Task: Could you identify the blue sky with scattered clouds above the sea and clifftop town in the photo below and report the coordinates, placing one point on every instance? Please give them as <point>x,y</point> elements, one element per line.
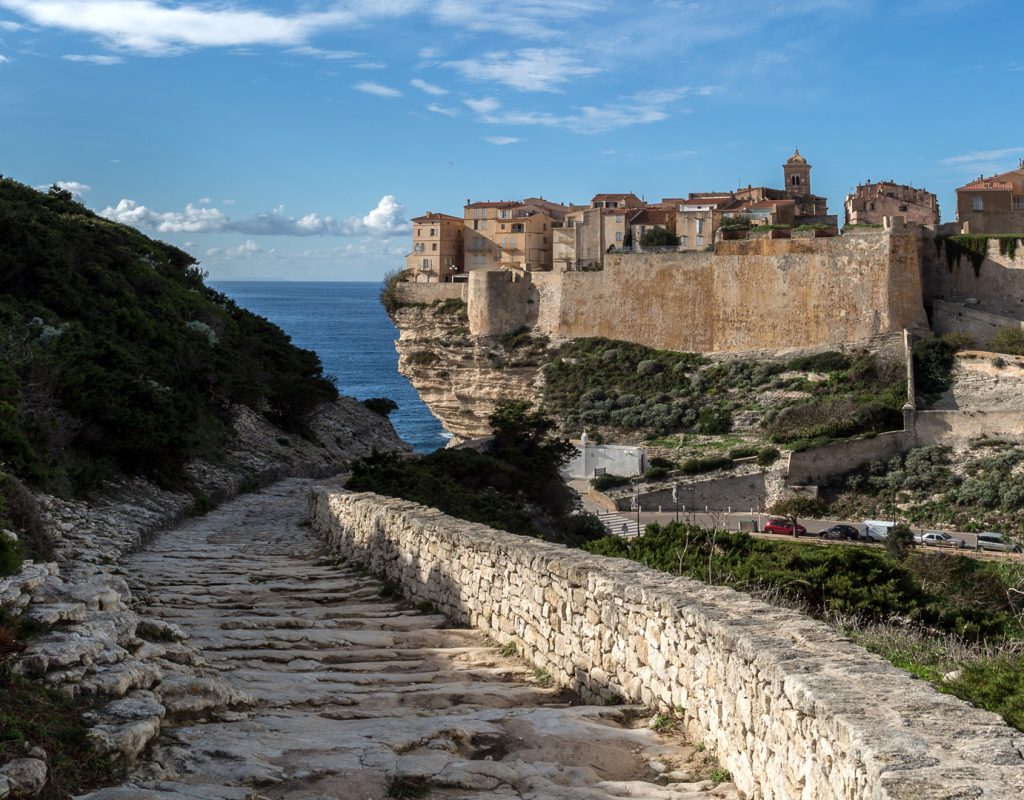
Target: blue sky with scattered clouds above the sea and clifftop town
<point>294,141</point>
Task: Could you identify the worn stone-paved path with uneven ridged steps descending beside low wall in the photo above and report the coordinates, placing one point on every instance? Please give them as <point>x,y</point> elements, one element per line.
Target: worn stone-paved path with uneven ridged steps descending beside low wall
<point>358,697</point>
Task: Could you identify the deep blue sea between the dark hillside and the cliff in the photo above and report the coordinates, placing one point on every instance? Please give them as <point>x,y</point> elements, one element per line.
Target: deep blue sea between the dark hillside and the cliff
<point>347,326</point>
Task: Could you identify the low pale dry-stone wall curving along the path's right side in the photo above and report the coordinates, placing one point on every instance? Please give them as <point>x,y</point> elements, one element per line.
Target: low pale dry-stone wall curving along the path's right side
<point>793,709</point>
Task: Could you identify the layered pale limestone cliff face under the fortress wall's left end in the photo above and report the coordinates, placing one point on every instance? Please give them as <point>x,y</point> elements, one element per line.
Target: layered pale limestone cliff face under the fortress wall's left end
<point>462,378</point>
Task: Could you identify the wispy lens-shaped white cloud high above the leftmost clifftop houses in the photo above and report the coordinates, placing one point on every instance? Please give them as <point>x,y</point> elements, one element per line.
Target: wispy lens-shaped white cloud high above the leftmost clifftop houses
<point>530,70</point>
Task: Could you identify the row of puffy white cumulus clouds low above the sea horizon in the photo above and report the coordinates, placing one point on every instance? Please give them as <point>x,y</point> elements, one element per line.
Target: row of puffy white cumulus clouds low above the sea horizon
<point>388,220</point>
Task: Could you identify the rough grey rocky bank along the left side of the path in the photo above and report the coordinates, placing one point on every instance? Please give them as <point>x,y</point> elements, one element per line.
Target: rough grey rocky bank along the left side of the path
<point>134,668</point>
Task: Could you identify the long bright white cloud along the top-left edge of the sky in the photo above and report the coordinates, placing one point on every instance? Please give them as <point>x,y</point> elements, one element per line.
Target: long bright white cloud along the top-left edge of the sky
<point>154,28</point>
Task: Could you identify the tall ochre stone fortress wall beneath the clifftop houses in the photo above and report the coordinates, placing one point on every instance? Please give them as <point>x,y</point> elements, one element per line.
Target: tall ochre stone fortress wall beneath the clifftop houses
<point>753,296</point>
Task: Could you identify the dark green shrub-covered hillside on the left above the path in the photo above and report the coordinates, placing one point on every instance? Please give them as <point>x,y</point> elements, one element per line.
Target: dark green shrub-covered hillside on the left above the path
<point>115,358</point>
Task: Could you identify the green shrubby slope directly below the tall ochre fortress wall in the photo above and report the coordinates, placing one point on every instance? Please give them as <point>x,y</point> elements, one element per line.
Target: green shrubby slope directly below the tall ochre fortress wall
<point>627,391</point>
